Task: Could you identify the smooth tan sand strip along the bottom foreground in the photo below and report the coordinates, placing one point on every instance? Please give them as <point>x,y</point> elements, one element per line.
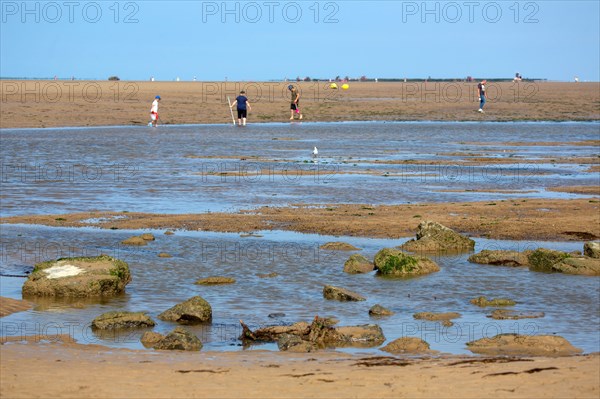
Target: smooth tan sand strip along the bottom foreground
<point>69,370</point>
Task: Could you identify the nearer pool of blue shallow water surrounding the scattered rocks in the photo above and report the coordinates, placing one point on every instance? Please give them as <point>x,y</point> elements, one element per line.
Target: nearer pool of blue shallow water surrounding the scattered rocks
<point>570,303</point>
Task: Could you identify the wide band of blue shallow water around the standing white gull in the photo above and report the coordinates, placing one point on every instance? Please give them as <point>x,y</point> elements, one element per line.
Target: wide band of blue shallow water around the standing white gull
<point>178,169</point>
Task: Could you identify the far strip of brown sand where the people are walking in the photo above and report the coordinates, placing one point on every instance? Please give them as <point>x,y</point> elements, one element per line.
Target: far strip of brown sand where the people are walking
<point>98,103</point>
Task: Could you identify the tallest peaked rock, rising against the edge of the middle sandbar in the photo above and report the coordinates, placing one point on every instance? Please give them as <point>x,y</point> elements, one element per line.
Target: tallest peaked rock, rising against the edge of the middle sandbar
<point>434,237</point>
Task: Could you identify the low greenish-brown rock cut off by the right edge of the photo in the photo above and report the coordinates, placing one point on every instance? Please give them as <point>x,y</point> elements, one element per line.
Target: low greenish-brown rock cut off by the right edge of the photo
<point>551,261</point>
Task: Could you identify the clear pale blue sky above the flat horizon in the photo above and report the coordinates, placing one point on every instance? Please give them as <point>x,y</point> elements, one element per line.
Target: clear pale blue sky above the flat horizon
<point>263,40</point>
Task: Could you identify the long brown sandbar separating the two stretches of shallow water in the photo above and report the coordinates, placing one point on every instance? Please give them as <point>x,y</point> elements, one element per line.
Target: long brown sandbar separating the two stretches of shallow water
<point>519,219</point>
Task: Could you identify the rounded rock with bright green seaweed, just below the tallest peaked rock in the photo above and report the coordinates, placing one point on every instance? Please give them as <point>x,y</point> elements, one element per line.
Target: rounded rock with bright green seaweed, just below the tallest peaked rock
<point>393,262</point>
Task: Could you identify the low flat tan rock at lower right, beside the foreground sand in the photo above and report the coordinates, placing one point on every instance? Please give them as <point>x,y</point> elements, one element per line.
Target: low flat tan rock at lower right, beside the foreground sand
<point>523,345</point>
